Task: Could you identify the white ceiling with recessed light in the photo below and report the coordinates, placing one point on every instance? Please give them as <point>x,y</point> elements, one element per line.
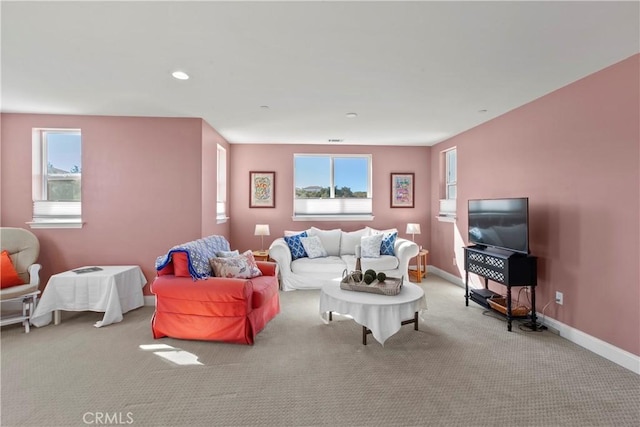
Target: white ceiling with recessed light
<point>416,73</point>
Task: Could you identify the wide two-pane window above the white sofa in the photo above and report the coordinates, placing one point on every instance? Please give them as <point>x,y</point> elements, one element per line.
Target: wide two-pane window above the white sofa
<point>330,186</point>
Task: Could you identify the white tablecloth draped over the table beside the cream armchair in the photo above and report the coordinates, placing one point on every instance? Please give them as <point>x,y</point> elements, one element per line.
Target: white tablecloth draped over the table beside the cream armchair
<point>114,290</point>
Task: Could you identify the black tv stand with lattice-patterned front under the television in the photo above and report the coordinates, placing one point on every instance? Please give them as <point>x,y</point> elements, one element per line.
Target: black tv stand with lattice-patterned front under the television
<point>504,267</point>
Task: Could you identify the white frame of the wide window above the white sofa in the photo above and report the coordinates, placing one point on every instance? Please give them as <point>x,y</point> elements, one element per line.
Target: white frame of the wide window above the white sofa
<point>334,209</point>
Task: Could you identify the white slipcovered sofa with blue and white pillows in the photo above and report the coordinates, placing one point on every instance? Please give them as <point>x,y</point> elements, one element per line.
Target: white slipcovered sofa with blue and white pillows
<point>313,273</point>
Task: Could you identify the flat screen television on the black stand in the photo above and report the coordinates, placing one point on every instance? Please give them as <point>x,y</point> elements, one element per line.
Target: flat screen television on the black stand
<point>500,223</point>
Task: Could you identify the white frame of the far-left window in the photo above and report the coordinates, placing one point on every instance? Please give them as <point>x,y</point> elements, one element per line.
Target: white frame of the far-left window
<point>51,213</point>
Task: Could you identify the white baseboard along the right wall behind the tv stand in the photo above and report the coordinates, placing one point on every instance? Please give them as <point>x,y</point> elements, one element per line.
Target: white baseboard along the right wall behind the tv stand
<point>610,352</point>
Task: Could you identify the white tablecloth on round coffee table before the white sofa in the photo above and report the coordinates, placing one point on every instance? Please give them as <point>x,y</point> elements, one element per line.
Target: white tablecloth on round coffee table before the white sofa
<point>382,314</point>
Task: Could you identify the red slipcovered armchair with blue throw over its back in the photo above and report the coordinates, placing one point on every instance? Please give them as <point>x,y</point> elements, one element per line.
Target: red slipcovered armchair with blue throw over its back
<point>216,308</point>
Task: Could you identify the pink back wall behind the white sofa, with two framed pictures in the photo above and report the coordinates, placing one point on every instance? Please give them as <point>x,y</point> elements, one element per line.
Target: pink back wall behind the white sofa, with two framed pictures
<point>279,158</point>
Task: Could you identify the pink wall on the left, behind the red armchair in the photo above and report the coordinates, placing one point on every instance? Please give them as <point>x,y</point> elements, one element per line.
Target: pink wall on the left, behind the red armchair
<point>142,188</point>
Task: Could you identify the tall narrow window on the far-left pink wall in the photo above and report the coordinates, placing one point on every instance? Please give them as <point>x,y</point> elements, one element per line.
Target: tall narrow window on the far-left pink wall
<point>57,178</point>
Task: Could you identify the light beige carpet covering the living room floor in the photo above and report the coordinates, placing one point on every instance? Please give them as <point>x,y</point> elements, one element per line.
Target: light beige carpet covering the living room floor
<point>461,369</point>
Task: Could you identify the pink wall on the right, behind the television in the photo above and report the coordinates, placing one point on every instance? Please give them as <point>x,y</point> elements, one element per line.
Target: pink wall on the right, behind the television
<point>575,154</point>
